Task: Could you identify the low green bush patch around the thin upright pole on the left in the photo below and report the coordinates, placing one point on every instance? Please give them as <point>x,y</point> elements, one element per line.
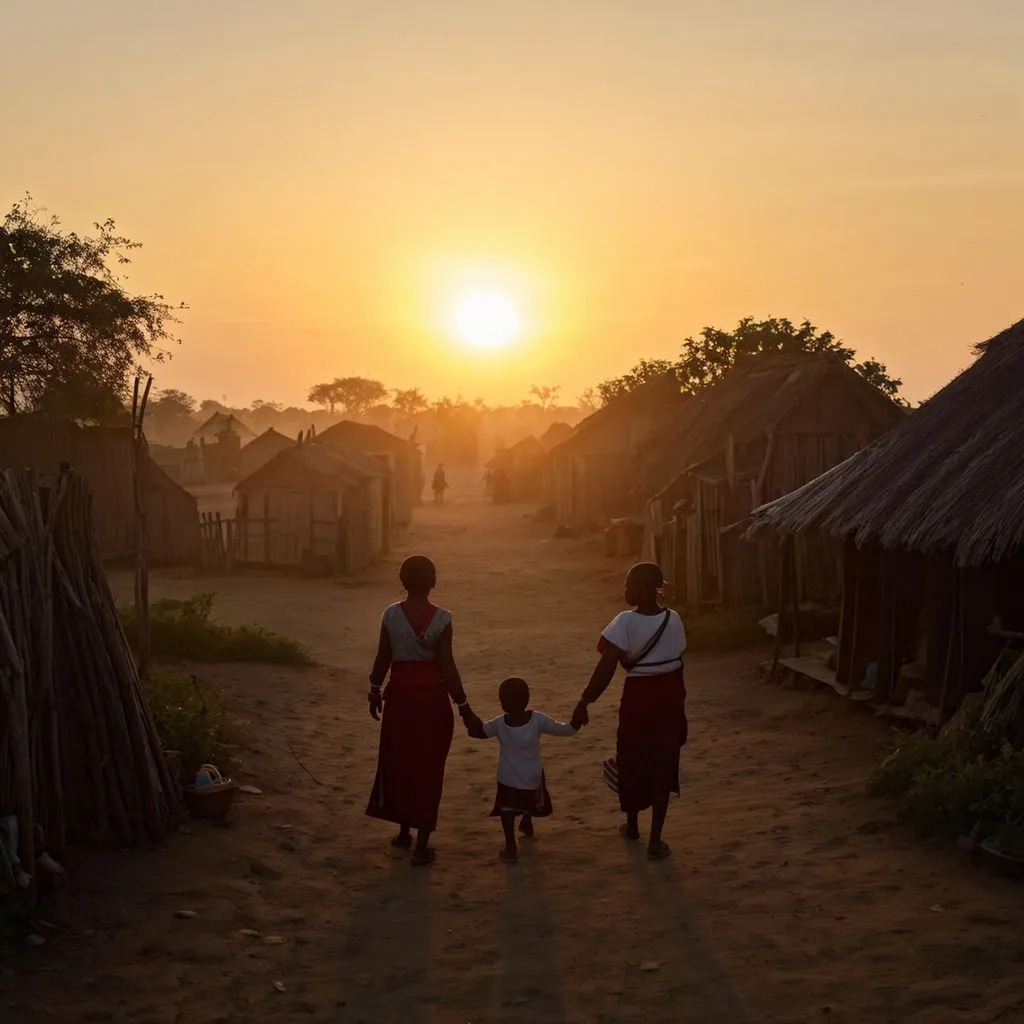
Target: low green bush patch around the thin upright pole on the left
<point>187,630</point>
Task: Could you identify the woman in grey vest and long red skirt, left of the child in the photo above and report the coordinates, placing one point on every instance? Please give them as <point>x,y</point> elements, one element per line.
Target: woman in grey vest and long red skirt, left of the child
<point>417,720</point>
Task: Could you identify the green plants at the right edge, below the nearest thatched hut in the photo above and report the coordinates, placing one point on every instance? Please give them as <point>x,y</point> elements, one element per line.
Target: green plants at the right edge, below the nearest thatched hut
<point>945,791</point>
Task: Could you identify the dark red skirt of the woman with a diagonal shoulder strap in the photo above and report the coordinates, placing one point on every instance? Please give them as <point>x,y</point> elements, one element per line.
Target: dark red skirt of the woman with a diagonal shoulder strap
<point>652,732</point>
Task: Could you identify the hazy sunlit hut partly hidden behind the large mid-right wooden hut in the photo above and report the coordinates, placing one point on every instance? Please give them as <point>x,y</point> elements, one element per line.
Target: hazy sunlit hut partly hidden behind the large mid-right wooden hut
<point>593,471</point>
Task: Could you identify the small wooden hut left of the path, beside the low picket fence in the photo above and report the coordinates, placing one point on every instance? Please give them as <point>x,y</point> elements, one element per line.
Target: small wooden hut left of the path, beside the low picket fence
<point>315,507</point>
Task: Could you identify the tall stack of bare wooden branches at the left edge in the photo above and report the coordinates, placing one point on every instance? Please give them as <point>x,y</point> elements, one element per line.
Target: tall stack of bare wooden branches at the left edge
<point>79,755</point>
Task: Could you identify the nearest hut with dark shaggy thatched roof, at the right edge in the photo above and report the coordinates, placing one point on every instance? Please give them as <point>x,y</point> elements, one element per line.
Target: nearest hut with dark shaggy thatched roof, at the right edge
<point>932,523</point>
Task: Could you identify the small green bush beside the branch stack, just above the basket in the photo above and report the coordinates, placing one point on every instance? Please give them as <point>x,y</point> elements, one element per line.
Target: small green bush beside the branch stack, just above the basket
<point>190,717</point>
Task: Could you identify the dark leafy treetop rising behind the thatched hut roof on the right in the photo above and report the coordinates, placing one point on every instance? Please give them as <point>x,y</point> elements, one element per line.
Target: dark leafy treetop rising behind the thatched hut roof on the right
<point>709,356</point>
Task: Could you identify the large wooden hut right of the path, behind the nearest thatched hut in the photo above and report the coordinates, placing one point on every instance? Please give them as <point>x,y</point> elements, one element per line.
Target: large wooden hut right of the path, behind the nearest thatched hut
<point>772,423</point>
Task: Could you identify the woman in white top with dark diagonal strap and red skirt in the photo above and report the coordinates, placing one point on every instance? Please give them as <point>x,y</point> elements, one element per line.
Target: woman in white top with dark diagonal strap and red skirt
<point>650,645</point>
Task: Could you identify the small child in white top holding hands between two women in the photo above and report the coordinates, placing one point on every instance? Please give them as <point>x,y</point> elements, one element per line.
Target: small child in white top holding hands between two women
<point>522,789</point>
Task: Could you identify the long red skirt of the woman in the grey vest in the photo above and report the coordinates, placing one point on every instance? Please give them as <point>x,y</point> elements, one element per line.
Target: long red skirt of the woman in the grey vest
<point>416,735</point>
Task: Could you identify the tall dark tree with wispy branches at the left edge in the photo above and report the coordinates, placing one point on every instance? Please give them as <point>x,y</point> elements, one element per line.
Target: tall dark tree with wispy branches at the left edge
<point>72,337</point>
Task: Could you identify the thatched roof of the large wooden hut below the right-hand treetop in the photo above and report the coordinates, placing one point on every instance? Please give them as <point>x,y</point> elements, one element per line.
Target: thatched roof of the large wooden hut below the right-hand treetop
<point>757,397</point>
